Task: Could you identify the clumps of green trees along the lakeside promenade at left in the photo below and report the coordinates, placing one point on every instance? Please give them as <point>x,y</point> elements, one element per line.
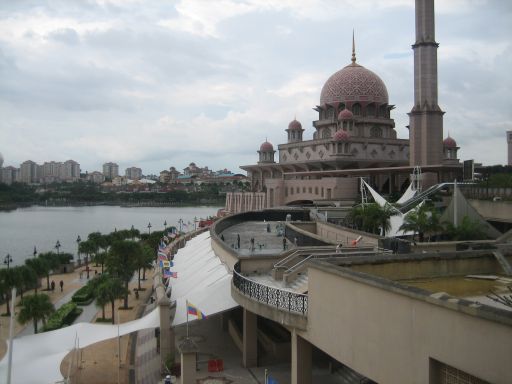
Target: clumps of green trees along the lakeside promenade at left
<point>119,254</point>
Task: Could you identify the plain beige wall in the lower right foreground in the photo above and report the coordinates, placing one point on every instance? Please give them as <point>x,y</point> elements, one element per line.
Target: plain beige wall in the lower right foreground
<point>390,337</point>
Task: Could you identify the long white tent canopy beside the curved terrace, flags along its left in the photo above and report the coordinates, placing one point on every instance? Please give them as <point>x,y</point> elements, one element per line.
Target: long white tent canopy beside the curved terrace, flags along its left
<point>203,280</point>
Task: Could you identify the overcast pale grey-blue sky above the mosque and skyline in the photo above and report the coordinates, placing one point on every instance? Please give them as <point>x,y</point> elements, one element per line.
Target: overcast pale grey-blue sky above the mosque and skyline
<point>156,84</point>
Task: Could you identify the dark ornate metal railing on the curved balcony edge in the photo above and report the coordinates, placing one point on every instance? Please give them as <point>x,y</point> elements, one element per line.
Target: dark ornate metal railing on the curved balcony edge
<point>275,297</point>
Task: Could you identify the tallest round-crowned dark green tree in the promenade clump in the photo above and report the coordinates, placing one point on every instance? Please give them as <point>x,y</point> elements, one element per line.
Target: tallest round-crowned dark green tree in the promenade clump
<point>122,262</point>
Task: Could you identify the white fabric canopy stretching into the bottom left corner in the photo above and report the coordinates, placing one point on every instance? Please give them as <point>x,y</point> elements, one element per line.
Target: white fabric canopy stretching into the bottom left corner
<point>37,358</point>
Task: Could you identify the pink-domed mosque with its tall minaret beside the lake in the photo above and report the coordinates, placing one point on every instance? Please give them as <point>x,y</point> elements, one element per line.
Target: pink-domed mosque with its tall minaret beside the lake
<point>355,137</point>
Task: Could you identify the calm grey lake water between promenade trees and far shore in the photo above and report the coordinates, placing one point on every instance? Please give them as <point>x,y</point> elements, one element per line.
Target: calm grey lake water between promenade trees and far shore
<point>24,228</point>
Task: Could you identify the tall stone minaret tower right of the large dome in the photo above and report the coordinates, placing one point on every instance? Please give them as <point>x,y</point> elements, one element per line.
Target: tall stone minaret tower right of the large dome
<point>425,118</point>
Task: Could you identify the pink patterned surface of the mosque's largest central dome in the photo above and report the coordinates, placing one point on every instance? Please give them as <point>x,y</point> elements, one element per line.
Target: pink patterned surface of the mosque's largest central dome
<point>354,83</point>
